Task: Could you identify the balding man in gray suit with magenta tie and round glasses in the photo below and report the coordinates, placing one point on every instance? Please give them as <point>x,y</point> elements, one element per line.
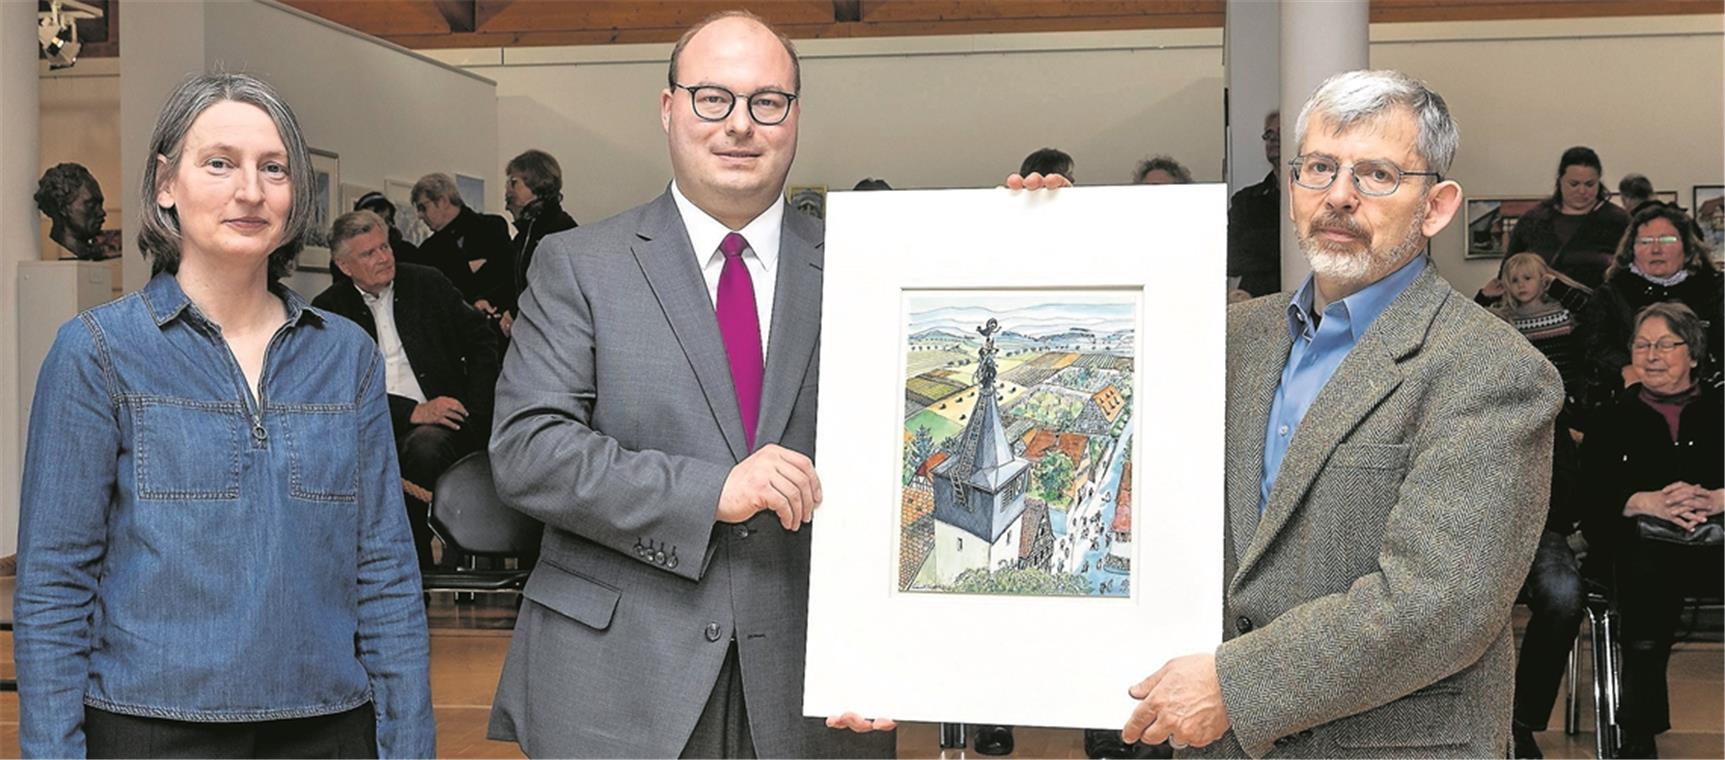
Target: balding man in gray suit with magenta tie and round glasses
<point>658,414</point>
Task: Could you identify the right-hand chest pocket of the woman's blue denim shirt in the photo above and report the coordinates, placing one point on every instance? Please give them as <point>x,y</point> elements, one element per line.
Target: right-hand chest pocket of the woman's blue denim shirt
<point>323,451</point>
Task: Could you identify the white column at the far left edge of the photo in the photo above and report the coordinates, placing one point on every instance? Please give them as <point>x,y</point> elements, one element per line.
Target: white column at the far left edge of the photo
<point>20,123</point>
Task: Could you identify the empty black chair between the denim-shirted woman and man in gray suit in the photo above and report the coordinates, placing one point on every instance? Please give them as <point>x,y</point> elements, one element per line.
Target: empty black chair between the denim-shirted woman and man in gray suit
<point>472,520</point>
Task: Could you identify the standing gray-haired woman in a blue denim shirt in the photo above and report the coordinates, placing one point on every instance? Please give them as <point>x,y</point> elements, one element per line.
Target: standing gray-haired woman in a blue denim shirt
<point>213,549</point>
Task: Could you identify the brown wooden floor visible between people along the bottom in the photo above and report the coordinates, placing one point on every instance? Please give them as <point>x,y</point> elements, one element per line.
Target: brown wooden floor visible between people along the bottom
<point>468,645</point>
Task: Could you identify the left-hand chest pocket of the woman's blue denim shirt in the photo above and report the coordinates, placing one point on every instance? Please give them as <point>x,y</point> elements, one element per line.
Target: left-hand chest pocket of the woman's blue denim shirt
<point>168,468</point>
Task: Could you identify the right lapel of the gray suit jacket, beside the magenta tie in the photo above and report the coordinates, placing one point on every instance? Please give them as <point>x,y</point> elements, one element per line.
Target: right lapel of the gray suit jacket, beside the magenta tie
<point>796,323</point>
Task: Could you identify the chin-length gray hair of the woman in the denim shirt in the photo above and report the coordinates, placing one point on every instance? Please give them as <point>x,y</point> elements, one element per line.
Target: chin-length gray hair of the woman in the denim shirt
<point>160,230</point>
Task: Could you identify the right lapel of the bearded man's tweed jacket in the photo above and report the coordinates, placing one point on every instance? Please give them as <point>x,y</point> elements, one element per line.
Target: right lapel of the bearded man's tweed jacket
<point>1360,383</point>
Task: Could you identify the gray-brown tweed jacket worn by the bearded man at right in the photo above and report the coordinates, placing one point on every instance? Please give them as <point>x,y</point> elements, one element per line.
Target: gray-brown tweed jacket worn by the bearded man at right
<point>1367,611</point>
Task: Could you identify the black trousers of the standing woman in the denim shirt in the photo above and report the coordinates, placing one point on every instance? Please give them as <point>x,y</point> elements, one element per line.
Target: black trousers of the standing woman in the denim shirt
<point>344,735</point>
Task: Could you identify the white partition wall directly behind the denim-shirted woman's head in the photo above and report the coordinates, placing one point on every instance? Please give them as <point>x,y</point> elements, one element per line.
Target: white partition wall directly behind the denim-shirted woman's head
<point>387,111</point>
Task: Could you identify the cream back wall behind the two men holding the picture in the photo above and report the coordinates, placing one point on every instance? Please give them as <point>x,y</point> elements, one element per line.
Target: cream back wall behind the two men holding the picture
<point>962,111</point>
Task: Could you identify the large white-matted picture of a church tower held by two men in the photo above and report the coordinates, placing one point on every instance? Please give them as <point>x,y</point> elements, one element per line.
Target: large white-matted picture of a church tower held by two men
<point>1019,475</point>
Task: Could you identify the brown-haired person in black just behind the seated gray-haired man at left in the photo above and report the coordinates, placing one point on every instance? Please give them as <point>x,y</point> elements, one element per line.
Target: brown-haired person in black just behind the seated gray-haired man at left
<point>472,249</point>
